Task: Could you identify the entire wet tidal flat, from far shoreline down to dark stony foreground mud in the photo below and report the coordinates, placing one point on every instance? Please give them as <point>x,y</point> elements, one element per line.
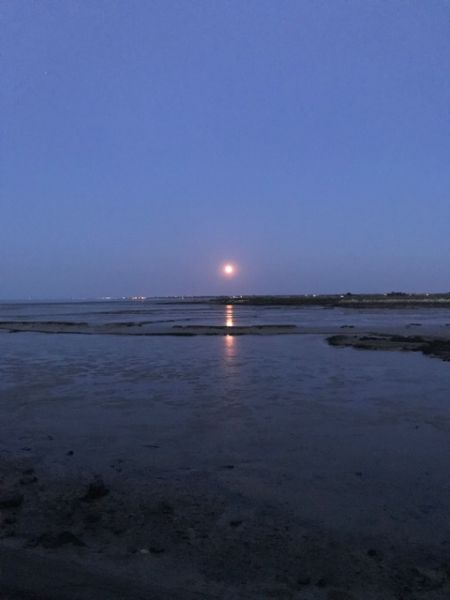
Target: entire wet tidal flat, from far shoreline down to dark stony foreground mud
<point>226,463</point>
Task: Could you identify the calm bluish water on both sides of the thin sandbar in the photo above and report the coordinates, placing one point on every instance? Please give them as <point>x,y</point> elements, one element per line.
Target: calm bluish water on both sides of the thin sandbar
<point>296,417</point>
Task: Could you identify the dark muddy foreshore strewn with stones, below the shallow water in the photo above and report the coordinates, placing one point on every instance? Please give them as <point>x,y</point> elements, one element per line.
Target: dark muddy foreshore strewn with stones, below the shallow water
<point>191,536</point>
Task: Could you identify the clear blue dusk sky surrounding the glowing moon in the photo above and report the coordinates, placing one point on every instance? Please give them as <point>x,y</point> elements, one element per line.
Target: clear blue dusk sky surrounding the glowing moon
<point>144,144</point>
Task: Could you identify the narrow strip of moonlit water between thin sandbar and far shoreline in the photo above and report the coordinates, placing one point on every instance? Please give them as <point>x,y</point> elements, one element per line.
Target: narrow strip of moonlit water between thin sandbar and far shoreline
<point>166,311</point>
